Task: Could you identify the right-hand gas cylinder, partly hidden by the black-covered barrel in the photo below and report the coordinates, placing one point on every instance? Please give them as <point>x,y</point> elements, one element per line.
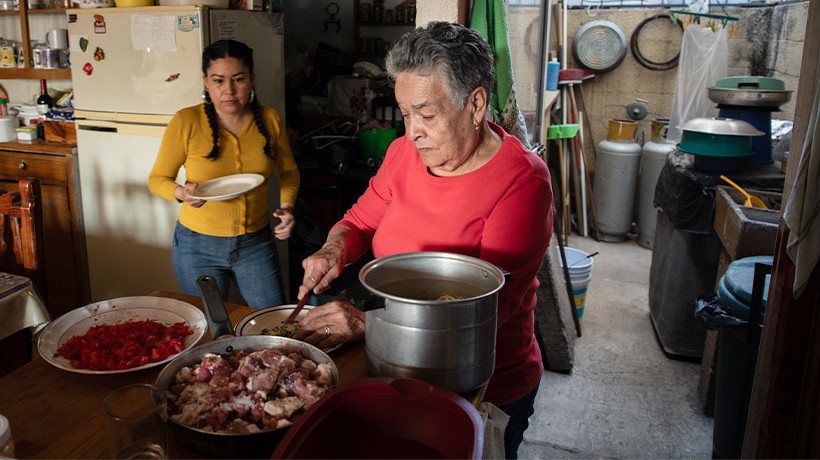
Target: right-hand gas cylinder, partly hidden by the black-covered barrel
<point>653,157</point>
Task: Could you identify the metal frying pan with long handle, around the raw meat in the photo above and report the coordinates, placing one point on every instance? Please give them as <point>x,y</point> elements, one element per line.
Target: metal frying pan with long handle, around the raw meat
<point>239,445</point>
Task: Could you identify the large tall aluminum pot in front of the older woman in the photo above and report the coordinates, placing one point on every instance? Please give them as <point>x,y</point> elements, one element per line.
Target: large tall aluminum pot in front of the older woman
<point>411,333</point>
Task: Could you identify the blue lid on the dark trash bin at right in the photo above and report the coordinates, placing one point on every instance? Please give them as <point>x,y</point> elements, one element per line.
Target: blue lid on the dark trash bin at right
<point>735,286</point>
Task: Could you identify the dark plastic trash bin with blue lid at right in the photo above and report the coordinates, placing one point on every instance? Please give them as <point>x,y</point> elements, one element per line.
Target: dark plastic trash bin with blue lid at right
<point>736,311</point>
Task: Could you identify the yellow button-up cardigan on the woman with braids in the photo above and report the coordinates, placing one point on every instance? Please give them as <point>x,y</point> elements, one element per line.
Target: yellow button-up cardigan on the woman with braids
<point>186,143</point>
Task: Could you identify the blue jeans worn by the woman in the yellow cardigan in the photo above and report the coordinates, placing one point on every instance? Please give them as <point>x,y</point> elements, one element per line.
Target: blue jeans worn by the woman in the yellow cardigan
<point>251,260</point>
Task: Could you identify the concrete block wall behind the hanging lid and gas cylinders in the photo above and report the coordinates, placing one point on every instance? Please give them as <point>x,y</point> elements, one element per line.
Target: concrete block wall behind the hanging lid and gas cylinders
<point>770,44</point>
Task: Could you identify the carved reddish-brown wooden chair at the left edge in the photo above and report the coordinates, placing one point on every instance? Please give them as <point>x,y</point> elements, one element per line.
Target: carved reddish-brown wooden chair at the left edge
<point>21,253</point>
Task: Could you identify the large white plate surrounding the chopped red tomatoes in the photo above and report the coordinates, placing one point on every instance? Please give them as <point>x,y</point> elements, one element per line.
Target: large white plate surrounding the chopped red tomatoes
<point>78,321</point>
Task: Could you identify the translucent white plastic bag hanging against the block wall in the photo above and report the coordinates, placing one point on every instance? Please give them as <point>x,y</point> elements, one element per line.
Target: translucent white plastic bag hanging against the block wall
<point>703,61</point>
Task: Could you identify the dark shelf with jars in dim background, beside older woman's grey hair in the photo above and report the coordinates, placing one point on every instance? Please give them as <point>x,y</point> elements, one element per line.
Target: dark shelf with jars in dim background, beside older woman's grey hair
<point>378,23</point>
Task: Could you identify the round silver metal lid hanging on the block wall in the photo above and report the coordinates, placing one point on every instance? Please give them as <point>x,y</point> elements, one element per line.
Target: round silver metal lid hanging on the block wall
<point>599,45</point>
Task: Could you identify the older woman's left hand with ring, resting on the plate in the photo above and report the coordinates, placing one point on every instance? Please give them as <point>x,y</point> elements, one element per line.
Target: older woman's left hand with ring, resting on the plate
<point>331,324</point>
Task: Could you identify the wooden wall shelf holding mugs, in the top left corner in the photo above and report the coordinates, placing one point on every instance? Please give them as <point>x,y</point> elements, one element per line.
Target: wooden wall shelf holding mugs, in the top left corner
<point>25,19</point>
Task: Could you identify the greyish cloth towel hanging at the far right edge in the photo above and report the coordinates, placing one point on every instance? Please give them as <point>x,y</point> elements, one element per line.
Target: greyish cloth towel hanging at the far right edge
<point>802,213</point>
